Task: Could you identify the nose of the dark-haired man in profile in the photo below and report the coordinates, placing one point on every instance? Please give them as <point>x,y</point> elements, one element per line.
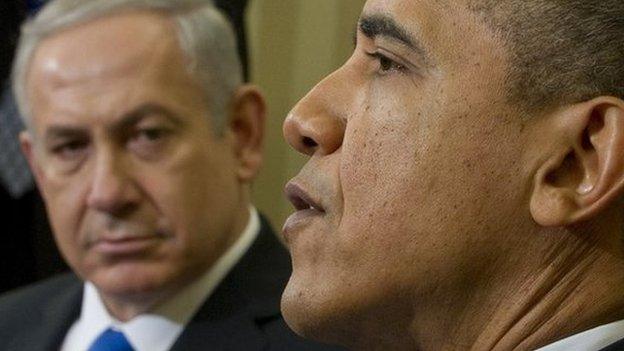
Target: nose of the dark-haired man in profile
<point>316,125</point>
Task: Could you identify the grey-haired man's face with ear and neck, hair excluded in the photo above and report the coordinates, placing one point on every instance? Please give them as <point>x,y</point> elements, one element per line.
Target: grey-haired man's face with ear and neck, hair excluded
<point>142,195</point>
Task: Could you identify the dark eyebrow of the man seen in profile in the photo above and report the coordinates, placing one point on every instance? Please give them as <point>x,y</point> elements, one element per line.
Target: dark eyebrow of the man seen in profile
<point>381,25</point>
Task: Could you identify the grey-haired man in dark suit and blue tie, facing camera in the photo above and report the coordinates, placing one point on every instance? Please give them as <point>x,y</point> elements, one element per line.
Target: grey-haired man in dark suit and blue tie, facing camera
<point>144,142</point>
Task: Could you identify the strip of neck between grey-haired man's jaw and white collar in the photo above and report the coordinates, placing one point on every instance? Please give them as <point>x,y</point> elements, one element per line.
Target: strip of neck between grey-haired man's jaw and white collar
<point>125,307</point>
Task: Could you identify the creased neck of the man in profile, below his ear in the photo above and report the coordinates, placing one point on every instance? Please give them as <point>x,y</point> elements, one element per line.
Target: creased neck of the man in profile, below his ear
<point>566,285</point>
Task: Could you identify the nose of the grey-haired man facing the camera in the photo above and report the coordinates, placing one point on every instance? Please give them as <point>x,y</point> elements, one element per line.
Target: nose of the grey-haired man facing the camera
<point>112,188</point>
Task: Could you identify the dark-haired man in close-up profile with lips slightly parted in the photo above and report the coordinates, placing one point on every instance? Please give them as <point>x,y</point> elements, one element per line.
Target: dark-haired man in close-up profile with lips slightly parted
<point>465,181</point>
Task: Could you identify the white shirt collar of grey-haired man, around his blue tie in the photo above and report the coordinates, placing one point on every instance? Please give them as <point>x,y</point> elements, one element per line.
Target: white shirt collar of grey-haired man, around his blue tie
<point>159,329</point>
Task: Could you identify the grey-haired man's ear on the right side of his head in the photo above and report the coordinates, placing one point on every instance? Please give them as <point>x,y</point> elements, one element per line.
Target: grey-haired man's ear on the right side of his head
<point>246,125</point>
